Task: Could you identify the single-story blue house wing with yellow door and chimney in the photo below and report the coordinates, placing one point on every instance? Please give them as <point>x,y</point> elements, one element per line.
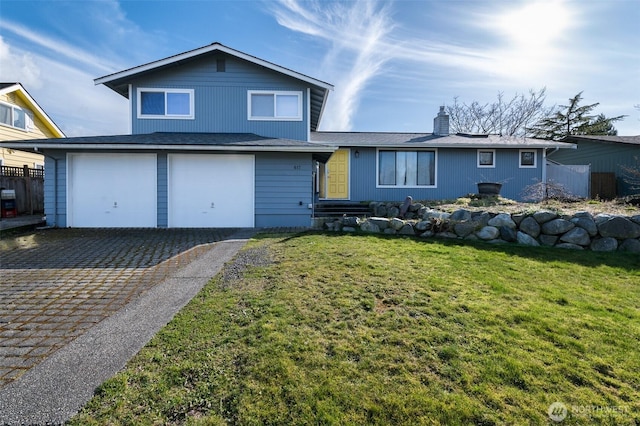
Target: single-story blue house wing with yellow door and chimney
<point>428,166</point>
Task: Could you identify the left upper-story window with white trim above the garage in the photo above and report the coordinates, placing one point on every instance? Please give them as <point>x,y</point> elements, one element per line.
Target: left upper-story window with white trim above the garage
<point>165,103</point>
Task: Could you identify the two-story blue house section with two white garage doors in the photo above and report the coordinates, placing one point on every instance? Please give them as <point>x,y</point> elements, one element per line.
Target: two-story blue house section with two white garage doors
<point>218,138</point>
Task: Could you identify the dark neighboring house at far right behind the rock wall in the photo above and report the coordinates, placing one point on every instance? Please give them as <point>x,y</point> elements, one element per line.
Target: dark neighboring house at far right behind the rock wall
<point>607,157</point>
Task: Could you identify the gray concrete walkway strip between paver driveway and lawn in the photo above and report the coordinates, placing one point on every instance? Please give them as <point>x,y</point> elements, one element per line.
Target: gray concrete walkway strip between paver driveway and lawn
<point>53,390</point>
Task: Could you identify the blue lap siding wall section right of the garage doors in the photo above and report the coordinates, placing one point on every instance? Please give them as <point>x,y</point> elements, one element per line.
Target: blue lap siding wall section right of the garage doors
<point>283,182</point>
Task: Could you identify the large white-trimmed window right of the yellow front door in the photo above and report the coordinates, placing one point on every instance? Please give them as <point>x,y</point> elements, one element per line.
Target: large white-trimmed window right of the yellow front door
<point>406,168</point>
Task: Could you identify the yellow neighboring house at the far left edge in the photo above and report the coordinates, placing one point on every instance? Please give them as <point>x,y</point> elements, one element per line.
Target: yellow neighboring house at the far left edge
<point>22,118</point>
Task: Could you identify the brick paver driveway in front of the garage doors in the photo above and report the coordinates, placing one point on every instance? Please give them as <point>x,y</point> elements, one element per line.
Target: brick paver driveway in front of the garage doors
<point>56,284</point>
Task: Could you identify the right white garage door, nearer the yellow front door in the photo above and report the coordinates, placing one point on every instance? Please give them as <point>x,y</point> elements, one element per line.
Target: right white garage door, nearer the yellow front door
<point>211,191</point>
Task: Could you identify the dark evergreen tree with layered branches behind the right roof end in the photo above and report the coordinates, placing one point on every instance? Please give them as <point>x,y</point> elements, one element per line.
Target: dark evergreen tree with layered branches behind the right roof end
<point>574,119</point>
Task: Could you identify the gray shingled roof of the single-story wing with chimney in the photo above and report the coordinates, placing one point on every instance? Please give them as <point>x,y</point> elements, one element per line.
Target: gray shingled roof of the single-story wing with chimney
<point>429,140</point>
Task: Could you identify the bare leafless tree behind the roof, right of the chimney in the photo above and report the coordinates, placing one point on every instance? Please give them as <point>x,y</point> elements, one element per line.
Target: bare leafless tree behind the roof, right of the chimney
<point>504,117</point>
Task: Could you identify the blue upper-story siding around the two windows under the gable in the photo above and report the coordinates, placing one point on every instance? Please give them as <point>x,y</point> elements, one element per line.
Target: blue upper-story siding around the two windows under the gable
<point>220,99</point>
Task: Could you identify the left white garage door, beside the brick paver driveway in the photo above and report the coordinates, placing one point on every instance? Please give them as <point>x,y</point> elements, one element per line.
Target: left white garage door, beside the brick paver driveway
<point>112,190</point>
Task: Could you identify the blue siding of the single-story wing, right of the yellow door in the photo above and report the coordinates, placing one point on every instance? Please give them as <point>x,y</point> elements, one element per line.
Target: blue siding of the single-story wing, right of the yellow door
<point>456,175</point>
